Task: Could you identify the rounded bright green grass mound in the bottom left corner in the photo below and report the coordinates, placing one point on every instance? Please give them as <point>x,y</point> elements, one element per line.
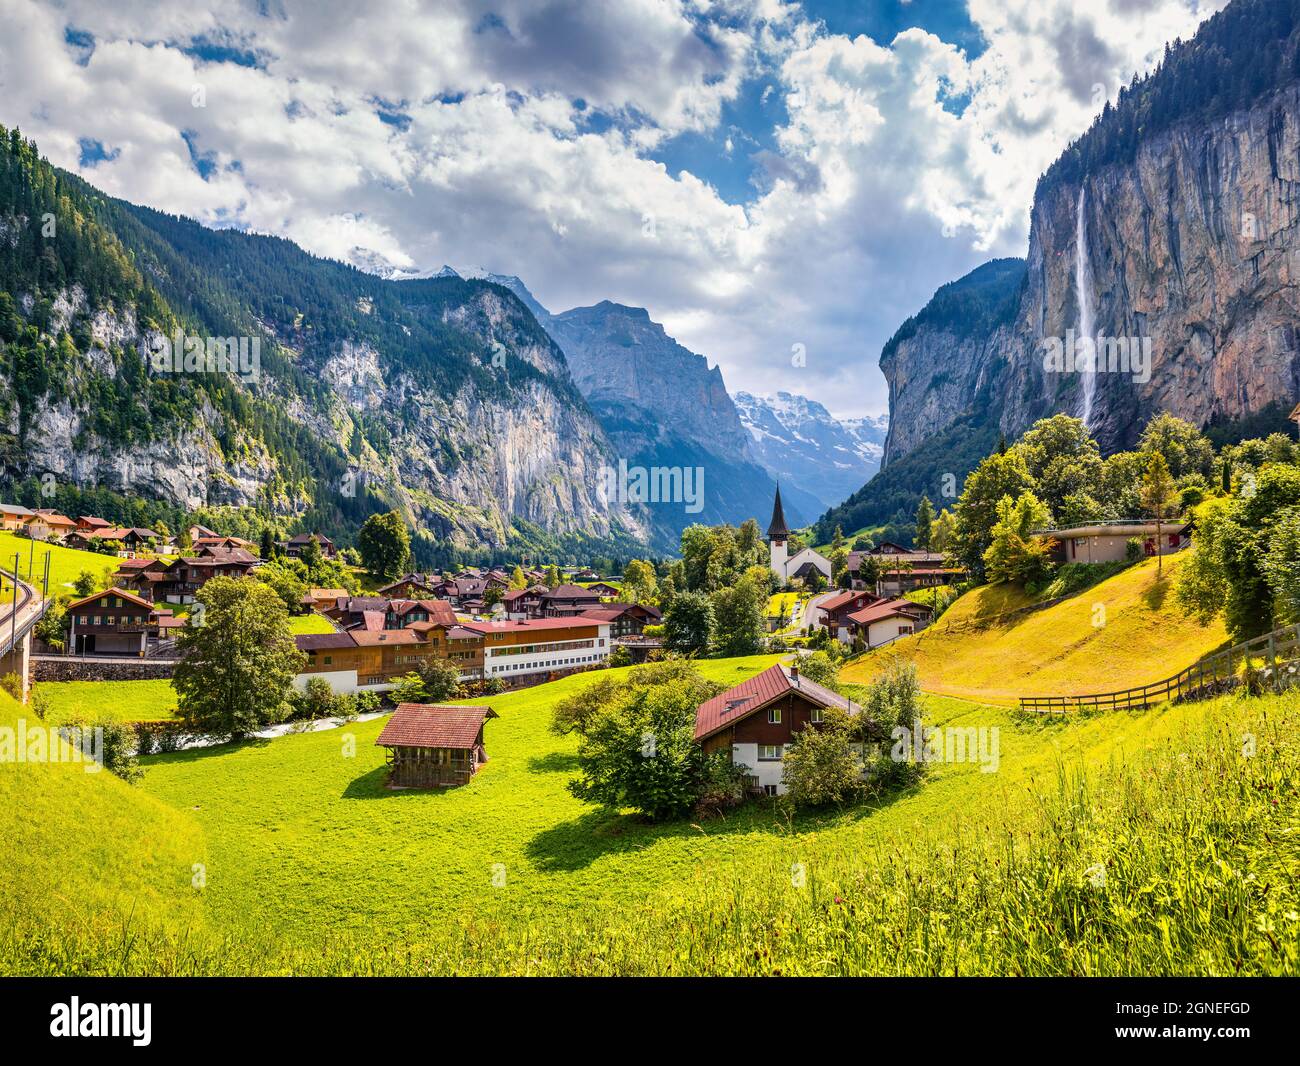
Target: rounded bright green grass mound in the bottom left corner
<point>86,857</point>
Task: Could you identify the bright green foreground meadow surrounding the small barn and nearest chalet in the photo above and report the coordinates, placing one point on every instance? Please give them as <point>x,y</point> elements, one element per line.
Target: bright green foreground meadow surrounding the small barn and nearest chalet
<point>1123,843</point>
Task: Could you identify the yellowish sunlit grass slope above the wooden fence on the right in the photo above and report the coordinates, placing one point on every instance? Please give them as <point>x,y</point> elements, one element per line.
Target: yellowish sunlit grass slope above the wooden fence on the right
<point>972,652</point>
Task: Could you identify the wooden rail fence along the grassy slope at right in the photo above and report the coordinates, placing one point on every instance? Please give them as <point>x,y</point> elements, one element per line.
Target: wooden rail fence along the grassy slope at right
<point>1212,675</point>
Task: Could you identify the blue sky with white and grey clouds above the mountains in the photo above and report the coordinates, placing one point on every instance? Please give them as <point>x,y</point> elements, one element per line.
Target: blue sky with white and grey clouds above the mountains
<point>766,177</point>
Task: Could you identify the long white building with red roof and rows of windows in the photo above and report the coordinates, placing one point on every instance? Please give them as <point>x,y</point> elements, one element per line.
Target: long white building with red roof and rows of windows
<point>541,649</point>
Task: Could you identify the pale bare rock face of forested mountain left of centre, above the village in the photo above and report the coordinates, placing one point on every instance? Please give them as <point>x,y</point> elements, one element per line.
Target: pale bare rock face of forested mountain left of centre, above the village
<point>463,466</point>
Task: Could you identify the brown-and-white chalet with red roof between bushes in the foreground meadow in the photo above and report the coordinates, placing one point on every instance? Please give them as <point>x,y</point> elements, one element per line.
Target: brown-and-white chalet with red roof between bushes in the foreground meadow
<point>760,718</point>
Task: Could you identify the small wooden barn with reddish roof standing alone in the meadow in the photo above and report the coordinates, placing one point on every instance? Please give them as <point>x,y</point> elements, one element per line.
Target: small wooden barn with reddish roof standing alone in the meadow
<point>435,747</point>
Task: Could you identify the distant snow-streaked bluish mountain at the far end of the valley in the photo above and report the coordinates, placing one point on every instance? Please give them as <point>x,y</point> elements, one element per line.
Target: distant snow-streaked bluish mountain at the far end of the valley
<point>800,444</point>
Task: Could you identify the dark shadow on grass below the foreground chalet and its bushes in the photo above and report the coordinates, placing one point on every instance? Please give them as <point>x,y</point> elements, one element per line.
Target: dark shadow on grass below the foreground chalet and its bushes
<point>577,844</point>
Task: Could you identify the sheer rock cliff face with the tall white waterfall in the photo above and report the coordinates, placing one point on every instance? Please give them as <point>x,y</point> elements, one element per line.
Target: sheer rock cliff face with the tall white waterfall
<point>1184,262</point>
